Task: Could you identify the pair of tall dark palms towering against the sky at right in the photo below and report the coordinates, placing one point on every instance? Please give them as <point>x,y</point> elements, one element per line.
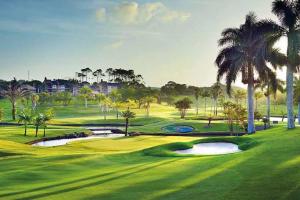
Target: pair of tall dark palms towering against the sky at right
<point>249,50</point>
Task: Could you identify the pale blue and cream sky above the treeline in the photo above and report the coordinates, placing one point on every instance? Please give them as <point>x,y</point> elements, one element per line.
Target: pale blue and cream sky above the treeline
<point>162,40</point>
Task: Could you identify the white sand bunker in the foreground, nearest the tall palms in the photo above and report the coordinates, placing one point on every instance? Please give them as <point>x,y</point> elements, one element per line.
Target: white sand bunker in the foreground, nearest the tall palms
<point>212,148</point>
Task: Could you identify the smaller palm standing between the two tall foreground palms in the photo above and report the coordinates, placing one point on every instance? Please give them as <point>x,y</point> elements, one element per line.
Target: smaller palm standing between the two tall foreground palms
<point>270,86</point>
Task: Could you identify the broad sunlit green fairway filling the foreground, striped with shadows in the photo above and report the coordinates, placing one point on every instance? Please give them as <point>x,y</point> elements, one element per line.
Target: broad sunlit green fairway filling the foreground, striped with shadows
<point>119,169</point>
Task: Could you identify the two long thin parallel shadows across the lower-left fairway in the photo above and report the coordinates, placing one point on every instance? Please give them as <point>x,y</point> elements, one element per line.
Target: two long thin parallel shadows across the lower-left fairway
<point>84,179</point>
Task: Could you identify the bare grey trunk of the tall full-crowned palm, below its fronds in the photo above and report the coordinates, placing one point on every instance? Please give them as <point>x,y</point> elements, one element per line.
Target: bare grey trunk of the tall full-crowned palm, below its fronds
<point>251,126</point>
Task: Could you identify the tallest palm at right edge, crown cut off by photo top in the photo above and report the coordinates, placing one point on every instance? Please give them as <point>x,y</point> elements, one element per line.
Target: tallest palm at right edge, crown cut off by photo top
<point>288,13</point>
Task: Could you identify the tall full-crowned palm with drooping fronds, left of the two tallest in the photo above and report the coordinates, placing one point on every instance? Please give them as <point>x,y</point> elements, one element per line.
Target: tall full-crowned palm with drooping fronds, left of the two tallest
<point>242,52</point>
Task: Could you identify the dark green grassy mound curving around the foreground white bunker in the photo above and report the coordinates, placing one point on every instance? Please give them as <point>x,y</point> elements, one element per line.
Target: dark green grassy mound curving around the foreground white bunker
<point>167,150</point>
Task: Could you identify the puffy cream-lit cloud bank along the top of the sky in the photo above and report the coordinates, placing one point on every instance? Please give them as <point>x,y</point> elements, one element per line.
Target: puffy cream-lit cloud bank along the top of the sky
<point>131,13</point>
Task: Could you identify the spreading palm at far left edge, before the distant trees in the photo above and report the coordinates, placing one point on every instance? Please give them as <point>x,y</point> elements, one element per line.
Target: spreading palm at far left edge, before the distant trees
<point>13,92</point>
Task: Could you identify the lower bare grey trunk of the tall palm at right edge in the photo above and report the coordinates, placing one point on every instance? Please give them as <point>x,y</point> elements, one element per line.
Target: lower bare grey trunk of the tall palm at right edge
<point>289,97</point>
